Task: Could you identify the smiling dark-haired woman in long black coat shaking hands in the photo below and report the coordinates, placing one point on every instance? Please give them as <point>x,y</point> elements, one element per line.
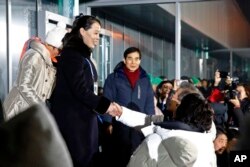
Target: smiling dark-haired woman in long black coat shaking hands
<point>74,103</point>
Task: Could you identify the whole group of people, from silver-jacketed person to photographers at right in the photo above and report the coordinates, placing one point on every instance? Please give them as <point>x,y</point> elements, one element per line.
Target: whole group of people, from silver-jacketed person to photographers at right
<point>186,122</point>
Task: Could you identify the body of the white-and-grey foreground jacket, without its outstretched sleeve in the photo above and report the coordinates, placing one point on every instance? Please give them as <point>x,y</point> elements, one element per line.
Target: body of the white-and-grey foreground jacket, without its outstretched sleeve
<point>185,148</point>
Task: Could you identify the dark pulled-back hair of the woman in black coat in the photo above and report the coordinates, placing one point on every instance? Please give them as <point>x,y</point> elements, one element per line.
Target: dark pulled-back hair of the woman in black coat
<point>81,21</point>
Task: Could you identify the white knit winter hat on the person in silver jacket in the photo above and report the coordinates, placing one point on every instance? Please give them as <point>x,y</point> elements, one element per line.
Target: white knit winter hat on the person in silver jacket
<point>54,37</point>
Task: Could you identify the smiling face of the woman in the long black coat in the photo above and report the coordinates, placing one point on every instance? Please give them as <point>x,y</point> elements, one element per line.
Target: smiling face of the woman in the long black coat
<point>91,36</point>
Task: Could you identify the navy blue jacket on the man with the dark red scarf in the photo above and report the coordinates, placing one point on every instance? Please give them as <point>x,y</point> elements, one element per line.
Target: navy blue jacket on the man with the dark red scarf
<point>118,89</point>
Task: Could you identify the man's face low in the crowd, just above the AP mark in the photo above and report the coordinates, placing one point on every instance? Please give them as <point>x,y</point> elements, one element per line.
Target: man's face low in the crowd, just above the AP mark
<point>220,143</point>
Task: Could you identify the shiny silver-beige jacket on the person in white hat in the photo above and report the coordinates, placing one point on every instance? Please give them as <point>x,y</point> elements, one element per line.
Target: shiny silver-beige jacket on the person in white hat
<point>34,82</point>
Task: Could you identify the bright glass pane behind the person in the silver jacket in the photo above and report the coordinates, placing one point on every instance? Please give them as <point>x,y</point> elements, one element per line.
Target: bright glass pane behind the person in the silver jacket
<point>22,27</point>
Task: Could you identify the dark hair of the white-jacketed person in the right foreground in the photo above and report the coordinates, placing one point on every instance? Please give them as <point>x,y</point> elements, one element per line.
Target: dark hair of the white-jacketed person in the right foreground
<point>195,111</point>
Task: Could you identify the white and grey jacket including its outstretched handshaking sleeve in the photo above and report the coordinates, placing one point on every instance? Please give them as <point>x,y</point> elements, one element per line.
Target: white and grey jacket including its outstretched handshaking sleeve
<point>186,148</point>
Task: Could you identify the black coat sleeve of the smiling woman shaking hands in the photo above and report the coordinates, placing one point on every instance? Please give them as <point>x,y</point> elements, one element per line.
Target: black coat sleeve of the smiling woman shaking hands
<point>78,76</point>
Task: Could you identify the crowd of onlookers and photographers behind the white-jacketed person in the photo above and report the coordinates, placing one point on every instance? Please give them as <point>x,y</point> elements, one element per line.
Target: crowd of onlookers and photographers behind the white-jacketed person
<point>229,100</point>
